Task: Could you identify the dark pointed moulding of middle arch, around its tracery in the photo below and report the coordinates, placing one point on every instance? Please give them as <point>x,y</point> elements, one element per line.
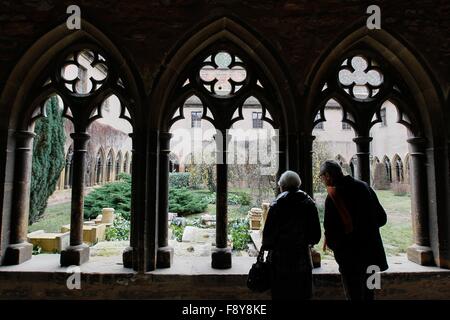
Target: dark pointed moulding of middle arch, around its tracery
<point>251,46</point>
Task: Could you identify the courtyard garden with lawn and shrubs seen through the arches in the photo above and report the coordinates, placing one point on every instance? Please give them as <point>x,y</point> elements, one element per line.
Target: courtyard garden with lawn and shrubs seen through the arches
<point>193,209</point>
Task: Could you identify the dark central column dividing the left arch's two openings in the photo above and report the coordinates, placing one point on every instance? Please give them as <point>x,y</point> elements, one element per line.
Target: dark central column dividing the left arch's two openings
<point>77,253</point>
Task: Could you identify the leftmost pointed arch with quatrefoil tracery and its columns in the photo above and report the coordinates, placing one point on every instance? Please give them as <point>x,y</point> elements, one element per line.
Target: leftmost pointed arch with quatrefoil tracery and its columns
<point>56,64</point>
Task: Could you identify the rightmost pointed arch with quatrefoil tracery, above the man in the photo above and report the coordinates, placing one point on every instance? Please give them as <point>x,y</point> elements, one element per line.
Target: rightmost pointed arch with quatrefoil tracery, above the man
<point>410,85</point>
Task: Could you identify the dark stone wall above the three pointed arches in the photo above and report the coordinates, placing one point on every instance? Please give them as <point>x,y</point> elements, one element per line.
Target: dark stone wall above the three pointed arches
<point>299,31</point>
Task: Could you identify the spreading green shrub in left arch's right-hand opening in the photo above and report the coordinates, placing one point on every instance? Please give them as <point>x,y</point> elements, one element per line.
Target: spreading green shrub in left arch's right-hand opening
<point>115,195</point>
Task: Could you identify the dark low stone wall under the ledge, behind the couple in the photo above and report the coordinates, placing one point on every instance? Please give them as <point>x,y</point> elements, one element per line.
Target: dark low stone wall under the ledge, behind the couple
<point>45,285</point>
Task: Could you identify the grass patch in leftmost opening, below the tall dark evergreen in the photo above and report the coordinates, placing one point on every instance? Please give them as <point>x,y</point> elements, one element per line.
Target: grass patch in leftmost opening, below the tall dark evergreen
<point>54,217</point>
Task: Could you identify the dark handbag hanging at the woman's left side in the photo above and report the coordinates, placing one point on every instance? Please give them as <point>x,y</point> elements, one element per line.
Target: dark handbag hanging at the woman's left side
<point>260,273</point>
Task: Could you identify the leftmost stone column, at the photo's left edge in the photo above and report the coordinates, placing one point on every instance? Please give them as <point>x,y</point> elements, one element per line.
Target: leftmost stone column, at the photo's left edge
<point>19,250</point>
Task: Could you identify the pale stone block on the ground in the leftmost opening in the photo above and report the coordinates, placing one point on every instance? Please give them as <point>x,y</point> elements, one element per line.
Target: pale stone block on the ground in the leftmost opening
<point>49,242</point>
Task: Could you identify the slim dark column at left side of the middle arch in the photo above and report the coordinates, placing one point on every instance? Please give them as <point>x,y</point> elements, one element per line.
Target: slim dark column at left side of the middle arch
<point>165,253</point>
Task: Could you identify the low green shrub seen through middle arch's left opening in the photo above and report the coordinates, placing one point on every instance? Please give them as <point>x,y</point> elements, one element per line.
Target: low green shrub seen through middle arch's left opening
<point>184,201</point>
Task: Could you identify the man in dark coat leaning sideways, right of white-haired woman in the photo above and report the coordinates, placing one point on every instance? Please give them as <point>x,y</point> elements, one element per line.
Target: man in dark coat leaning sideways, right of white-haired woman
<point>353,216</point>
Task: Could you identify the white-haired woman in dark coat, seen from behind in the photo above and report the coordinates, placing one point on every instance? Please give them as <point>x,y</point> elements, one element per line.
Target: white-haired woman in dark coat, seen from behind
<point>292,225</point>
